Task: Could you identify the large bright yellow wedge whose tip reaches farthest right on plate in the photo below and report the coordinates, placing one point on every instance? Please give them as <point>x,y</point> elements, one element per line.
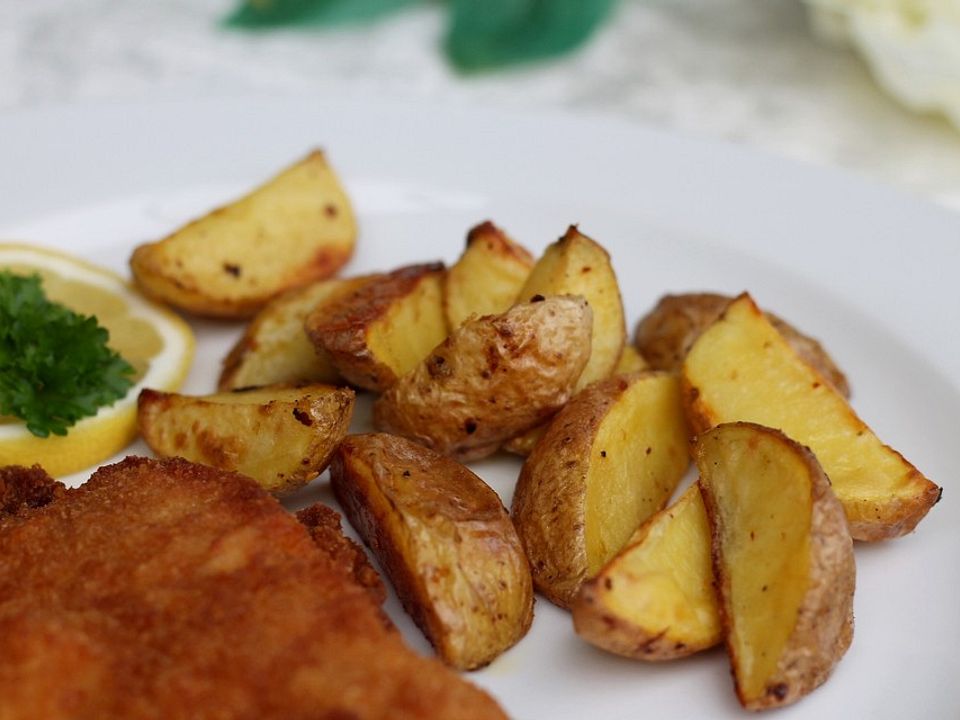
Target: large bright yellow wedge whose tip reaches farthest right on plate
<point>741,368</point>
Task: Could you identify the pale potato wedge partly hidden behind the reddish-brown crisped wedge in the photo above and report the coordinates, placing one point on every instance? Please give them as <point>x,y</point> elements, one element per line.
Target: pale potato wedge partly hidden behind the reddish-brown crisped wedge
<point>275,349</point>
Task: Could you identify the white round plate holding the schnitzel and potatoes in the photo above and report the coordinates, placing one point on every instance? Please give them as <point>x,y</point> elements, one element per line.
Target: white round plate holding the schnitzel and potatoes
<point>871,272</point>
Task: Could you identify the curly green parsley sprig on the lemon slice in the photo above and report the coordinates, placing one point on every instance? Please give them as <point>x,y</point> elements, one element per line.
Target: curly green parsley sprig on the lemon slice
<point>55,366</point>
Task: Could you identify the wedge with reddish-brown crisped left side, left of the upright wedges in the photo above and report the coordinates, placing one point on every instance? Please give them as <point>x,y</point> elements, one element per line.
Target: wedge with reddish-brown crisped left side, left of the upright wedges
<point>383,329</point>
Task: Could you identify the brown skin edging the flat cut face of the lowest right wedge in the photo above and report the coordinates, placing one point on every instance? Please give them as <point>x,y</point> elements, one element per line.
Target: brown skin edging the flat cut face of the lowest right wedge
<point>824,626</point>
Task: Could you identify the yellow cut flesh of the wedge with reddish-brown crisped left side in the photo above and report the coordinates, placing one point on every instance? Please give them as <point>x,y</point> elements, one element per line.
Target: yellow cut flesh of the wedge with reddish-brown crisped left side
<point>411,328</point>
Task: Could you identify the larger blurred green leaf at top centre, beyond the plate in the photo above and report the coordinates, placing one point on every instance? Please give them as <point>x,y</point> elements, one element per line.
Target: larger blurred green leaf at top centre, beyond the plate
<point>490,33</point>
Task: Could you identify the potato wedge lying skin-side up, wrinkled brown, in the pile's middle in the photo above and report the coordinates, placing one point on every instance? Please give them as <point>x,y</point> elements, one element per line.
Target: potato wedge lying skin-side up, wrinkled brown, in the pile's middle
<point>493,377</point>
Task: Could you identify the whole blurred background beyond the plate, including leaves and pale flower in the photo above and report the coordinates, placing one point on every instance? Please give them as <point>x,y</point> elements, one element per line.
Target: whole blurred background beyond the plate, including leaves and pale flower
<point>872,86</point>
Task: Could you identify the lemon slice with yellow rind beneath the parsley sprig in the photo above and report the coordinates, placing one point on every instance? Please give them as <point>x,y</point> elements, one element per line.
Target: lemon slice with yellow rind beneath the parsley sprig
<point>158,343</point>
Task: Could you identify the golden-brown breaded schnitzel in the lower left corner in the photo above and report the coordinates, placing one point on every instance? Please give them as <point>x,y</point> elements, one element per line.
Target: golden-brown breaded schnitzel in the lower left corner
<point>163,589</point>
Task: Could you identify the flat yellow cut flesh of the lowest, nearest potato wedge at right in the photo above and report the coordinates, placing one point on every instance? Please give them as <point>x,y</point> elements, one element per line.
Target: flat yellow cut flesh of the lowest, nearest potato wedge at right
<point>764,502</point>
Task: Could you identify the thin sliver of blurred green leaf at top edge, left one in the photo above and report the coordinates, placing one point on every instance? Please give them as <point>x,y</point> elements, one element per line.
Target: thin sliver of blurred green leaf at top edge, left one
<point>276,13</point>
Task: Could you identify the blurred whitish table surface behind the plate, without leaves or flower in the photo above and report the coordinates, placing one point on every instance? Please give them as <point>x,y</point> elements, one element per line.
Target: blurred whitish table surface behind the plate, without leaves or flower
<point>739,70</point>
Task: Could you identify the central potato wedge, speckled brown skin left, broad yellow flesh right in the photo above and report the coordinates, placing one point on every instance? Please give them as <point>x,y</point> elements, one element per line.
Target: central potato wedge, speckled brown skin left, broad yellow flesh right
<point>609,460</point>
